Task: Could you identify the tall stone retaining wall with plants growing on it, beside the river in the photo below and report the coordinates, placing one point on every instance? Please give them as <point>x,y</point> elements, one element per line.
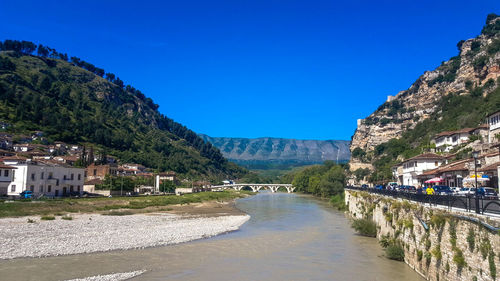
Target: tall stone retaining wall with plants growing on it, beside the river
<point>451,248</point>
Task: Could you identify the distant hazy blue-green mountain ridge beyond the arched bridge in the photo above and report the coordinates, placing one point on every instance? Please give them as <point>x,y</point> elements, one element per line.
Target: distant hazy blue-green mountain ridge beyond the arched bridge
<point>252,152</point>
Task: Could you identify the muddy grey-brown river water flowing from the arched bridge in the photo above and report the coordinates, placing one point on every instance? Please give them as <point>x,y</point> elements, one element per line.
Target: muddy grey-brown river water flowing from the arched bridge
<point>289,237</point>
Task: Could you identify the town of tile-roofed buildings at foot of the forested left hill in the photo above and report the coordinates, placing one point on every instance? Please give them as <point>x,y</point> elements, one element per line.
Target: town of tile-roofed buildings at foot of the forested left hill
<point>31,164</point>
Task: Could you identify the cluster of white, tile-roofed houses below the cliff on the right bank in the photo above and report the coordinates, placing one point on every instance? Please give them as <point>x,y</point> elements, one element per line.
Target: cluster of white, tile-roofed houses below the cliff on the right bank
<point>449,163</point>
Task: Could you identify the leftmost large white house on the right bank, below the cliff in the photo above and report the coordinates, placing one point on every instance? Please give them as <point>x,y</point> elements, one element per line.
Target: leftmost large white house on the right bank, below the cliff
<point>415,166</point>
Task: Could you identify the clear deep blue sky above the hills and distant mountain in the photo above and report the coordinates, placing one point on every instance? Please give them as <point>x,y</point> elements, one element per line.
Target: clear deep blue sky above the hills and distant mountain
<point>292,69</point>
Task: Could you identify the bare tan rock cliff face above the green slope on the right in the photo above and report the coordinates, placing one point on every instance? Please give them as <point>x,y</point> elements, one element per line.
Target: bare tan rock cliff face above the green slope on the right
<point>477,65</point>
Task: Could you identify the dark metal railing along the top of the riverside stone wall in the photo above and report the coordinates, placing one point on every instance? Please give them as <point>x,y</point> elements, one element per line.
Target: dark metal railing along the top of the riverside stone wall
<point>466,203</point>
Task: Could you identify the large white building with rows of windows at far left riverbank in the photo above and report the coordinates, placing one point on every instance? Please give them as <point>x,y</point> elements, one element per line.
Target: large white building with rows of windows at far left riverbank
<point>44,178</point>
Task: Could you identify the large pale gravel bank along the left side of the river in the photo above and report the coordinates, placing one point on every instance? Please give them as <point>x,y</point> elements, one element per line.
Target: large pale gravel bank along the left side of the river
<point>87,233</point>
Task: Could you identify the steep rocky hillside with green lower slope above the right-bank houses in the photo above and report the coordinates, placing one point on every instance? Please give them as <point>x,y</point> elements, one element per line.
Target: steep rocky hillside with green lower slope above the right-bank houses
<point>458,94</point>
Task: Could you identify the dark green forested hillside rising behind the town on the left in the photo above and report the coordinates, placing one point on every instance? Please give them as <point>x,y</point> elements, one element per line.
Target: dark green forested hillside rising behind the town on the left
<point>74,101</point>
